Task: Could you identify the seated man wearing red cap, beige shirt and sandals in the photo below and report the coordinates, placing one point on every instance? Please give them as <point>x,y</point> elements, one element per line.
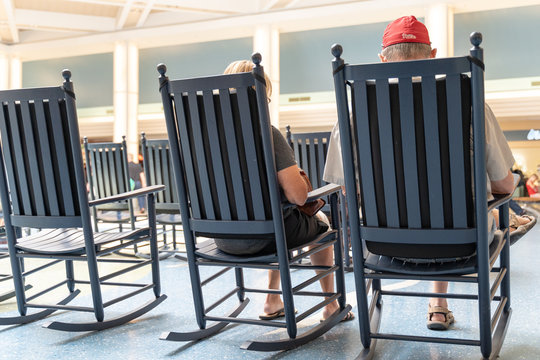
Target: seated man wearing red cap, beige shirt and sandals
<point>408,39</point>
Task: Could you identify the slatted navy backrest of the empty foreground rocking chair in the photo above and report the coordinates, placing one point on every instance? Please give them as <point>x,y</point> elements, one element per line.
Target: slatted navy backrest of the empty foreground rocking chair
<point>40,138</point>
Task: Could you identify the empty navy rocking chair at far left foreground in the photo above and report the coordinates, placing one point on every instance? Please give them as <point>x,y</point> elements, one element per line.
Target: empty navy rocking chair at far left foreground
<point>42,186</point>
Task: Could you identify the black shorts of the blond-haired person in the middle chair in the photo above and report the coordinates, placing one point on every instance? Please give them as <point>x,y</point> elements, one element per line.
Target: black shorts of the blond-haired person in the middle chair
<point>299,230</point>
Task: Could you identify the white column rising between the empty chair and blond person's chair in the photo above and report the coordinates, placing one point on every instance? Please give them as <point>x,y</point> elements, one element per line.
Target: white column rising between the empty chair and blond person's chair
<point>126,94</point>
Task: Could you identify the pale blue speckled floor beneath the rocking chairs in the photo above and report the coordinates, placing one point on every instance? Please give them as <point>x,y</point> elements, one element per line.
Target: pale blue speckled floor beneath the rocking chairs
<point>140,339</point>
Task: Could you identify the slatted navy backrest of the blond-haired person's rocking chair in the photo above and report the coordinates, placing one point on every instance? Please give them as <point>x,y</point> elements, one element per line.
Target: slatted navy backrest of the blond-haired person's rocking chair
<point>223,138</point>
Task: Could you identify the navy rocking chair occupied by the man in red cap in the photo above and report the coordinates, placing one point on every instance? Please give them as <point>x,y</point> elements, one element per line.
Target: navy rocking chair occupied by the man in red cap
<point>423,192</point>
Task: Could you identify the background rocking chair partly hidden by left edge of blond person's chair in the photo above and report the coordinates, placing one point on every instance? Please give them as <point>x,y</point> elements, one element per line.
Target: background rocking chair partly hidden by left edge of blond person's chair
<point>158,170</point>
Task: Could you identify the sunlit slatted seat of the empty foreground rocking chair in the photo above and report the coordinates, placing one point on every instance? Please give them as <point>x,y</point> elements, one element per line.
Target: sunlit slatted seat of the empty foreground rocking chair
<point>71,240</point>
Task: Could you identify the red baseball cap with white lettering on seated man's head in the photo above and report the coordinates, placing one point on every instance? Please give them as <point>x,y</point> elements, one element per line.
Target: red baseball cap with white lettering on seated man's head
<point>405,29</point>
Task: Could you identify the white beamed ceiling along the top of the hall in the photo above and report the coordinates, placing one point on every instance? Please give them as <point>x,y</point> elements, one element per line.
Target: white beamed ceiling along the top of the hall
<point>30,21</point>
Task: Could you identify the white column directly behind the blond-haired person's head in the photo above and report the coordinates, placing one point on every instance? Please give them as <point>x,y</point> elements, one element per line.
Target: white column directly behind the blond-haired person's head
<point>266,42</point>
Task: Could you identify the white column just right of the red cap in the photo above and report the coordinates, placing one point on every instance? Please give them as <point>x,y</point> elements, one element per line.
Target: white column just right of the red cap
<point>440,23</point>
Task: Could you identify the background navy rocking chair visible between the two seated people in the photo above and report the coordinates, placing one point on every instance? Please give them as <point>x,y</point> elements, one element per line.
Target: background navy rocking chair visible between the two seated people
<point>310,152</point>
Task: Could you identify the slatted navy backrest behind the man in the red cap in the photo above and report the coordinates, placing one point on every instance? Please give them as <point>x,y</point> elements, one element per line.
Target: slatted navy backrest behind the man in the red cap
<point>411,122</point>
